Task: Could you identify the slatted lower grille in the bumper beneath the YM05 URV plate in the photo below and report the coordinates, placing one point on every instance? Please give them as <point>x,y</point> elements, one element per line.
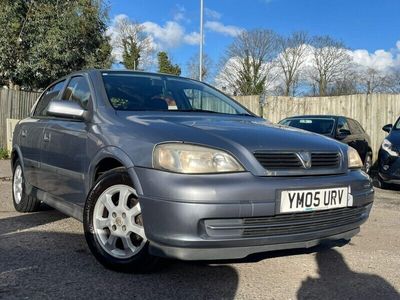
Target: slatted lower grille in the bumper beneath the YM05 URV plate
<point>285,224</point>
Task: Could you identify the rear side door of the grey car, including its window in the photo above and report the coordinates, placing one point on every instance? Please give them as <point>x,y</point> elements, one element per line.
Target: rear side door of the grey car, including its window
<point>31,135</point>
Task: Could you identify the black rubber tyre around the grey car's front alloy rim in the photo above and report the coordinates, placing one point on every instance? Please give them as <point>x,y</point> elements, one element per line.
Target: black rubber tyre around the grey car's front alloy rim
<point>141,262</point>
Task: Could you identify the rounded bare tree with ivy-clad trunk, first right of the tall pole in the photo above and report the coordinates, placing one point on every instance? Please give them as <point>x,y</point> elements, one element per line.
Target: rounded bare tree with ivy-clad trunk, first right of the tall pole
<point>248,62</point>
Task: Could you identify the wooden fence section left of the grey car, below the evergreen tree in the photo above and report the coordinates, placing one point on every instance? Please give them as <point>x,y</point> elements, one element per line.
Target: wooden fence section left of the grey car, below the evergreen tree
<point>14,104</point>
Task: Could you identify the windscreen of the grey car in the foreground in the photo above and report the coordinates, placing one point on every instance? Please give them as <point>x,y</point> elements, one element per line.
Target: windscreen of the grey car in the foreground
<point>144,92</point>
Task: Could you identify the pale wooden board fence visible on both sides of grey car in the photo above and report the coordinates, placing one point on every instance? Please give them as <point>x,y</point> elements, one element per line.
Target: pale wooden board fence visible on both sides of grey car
<point>372,111</point>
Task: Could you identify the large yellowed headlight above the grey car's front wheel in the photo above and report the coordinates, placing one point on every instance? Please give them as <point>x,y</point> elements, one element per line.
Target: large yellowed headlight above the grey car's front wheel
<point>191,159</point>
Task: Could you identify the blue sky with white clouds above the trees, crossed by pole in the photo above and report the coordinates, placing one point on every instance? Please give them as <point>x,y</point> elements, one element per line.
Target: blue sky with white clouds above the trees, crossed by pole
<point>361,24</point>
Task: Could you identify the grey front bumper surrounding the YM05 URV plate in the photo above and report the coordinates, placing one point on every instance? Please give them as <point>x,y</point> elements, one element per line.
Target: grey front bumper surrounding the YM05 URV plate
<point>179,210</point>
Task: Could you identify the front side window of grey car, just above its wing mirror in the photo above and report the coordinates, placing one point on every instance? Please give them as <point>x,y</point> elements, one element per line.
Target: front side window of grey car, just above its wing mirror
<point>78,91</point>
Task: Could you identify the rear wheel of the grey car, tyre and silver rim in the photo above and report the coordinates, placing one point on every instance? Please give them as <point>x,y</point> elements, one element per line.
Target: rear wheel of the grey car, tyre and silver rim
<point>22,201</point>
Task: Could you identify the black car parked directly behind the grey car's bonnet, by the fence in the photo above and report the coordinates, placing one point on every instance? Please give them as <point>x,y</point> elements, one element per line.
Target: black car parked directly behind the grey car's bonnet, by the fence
<point>341,128</point>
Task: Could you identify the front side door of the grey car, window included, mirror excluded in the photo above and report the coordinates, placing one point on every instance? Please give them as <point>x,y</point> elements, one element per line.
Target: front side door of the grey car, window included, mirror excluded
<point>65,158</point>
